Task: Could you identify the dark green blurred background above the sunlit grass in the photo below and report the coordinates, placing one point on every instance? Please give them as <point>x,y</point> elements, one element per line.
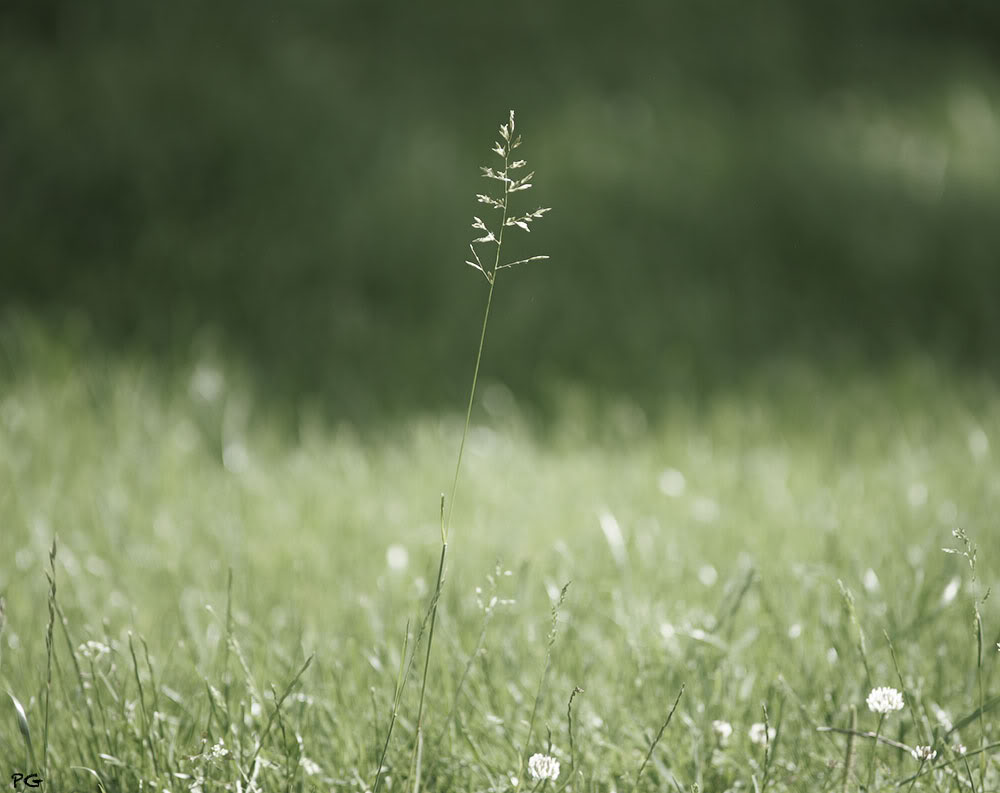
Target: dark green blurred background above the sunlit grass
<point>735,187</point>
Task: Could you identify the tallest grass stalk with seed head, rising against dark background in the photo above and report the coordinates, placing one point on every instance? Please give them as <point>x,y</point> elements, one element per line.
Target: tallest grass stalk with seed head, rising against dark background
<point>489,237</point>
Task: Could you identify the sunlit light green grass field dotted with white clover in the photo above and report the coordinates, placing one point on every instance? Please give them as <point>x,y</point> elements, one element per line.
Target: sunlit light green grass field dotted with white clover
<point>703,548</point>
